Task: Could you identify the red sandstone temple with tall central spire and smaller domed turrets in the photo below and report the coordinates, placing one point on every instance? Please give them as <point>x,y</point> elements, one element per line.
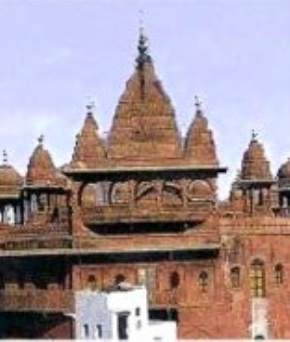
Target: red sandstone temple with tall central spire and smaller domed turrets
<point>142,206</point>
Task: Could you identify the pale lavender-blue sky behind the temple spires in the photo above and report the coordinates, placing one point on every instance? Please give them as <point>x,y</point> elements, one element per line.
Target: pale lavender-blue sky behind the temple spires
<point>57,54</point>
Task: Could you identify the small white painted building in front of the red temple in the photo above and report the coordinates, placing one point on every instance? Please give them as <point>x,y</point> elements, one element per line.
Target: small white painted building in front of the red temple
<point>120,313</point>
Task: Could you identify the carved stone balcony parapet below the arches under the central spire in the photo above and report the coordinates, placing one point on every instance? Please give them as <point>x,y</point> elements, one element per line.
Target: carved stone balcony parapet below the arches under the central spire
<point>124,214</point>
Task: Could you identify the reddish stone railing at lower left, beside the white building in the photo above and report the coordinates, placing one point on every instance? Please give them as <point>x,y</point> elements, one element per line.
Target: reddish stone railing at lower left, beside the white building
<point>37,300</point>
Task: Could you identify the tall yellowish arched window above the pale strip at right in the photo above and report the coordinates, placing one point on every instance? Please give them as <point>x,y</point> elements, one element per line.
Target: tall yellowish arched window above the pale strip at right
<point>257,278</point>
